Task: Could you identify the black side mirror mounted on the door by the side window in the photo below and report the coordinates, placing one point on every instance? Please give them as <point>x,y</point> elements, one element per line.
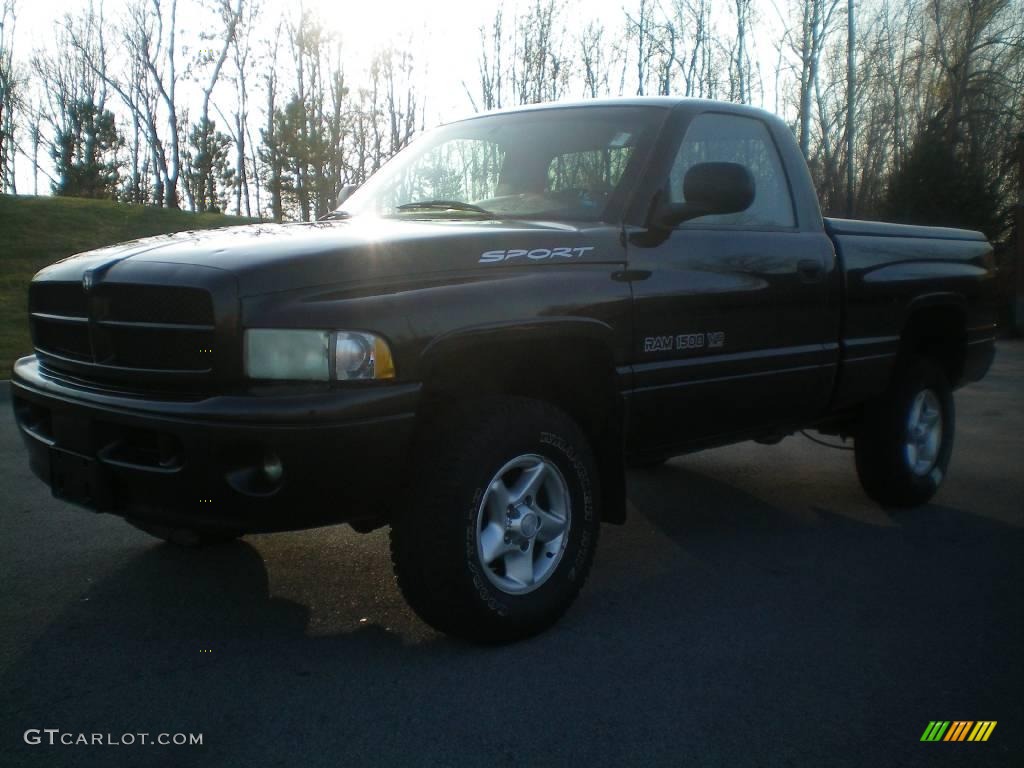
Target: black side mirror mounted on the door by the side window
<point>710,189</point>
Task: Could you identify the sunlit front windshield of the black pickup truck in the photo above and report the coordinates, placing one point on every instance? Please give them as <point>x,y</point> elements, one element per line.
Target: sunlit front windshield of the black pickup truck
<point>571,164</point>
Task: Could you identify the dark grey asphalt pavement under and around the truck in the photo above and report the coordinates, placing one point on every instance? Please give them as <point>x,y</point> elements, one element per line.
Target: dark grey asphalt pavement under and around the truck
<point>757,610</point>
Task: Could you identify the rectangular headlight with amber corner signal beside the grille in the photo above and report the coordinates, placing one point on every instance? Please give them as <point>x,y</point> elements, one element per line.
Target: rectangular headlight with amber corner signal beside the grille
<point>317,356</point>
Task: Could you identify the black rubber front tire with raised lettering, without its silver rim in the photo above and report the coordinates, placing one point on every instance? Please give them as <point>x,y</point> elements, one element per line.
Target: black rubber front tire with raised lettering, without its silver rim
<point>435,545</point>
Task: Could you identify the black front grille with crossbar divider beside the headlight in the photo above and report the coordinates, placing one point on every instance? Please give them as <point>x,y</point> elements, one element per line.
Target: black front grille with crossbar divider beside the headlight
<point>117,329</point>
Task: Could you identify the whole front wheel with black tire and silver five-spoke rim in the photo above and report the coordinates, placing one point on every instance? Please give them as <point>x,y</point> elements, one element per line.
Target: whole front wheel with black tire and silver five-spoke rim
<point>500,531</point>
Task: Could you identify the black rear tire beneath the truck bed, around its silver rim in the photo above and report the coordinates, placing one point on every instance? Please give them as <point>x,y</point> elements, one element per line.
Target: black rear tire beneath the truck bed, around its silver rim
<point>884,459</point>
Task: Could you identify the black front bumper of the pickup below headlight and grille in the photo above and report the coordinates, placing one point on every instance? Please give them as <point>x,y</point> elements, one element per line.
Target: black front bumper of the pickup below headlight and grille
<point>199,462</point>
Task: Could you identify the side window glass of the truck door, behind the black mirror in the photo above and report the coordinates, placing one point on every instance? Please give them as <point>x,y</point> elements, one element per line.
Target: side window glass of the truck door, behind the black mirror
<point>732,139</point>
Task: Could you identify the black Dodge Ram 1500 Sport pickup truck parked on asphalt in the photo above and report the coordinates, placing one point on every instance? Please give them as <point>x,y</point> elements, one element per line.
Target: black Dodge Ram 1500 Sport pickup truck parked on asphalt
<point>477,346</point>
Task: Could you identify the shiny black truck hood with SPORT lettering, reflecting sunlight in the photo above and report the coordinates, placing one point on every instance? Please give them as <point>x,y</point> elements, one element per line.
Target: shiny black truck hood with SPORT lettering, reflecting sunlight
<point>267,259</point>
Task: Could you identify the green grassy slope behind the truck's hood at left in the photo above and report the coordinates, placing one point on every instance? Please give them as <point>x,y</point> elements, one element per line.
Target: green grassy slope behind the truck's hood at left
<point>36,232</point>
